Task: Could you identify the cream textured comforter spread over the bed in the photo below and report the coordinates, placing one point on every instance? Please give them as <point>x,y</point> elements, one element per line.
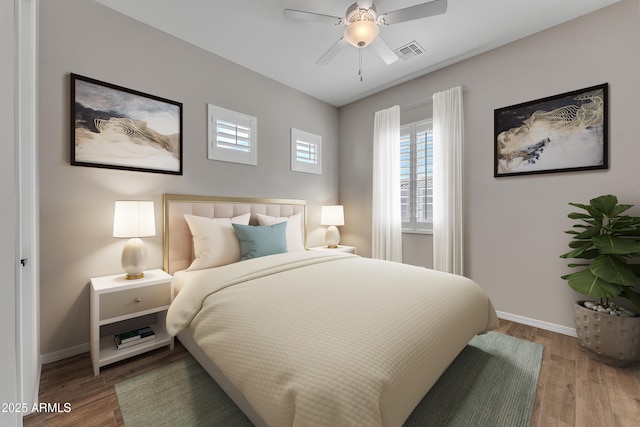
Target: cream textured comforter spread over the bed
<point>315,339</point>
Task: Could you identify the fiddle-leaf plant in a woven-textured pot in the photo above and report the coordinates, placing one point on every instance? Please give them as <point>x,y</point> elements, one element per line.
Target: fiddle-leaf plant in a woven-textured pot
<point>607,243</point>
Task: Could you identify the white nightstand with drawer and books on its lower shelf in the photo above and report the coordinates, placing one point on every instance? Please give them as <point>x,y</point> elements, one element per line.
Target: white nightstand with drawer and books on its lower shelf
<point>116,303</point>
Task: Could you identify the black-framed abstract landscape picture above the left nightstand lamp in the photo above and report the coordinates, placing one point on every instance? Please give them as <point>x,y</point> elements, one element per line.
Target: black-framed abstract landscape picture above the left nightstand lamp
<point>118,128</point>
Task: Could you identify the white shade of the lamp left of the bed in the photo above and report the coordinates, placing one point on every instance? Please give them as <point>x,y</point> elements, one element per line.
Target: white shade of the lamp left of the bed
<point>134,218</point>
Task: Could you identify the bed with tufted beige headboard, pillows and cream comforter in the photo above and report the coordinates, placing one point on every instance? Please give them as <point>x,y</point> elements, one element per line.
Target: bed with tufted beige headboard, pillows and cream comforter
<point>300,337</point>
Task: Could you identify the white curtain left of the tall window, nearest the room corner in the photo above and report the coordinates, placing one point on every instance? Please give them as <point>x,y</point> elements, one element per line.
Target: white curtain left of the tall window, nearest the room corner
<point>386,215</point>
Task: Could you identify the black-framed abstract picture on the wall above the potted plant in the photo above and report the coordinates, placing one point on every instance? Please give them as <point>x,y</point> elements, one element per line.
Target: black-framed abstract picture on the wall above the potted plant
<point>560,133</point>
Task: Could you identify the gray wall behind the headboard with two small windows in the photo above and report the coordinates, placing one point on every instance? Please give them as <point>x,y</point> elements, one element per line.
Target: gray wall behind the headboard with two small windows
<point>76,203</point>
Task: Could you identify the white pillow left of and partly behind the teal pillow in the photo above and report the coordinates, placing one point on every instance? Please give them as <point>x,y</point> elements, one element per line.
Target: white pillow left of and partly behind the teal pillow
<point>214,241</point>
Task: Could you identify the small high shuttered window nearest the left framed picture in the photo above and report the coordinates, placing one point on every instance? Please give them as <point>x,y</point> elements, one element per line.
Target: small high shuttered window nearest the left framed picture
<point>232,136</point>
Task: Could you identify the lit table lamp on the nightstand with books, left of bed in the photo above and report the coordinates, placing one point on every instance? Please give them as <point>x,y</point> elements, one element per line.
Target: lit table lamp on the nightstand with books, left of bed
<point>133,219</point>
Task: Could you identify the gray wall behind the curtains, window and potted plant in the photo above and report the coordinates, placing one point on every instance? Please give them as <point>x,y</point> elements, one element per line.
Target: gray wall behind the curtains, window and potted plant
<point>514,226</point>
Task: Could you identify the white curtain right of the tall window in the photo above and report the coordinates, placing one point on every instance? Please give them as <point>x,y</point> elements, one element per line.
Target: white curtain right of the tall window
<point>448,138</point>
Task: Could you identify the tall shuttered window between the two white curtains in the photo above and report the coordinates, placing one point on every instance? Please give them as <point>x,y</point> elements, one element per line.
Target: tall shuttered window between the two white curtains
<point>416,176</point>
